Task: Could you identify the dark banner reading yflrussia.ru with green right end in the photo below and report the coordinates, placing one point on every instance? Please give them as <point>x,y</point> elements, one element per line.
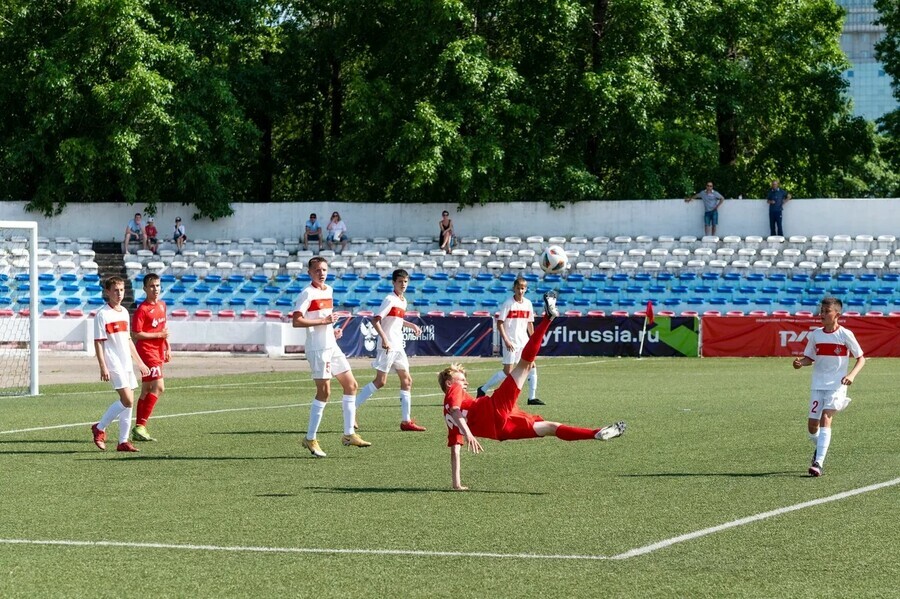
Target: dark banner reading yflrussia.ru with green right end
<point>621,336</point>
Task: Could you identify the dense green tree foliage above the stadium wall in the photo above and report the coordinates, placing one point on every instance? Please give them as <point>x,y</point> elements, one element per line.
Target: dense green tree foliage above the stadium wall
<point>455,101</point>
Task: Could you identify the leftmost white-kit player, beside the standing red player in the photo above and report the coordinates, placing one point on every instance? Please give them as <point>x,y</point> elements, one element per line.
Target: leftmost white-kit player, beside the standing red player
<point>117,356</point>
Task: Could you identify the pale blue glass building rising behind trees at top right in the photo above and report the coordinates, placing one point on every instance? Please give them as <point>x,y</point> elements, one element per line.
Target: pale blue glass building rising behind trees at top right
<point>870,86</point>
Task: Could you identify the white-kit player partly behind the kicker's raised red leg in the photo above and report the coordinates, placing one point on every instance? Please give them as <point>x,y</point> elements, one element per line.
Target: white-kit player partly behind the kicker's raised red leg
<point>515,323</point>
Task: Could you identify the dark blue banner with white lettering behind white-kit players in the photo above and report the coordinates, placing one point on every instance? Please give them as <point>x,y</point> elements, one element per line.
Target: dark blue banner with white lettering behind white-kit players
<point>441,336</point>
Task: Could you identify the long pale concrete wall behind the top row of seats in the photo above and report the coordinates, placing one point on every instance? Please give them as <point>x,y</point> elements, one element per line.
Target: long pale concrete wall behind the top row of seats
<point>106,222</point>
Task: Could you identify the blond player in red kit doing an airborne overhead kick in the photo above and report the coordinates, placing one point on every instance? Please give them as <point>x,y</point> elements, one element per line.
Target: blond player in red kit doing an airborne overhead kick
<point>496,416</point>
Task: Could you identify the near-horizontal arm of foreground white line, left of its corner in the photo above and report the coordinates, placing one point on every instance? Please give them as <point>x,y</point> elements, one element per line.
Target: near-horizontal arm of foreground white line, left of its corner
<point>408,552</point>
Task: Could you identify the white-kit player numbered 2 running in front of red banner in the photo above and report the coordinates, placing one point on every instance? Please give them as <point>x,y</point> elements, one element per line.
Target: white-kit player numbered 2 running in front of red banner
<point>828,350</point>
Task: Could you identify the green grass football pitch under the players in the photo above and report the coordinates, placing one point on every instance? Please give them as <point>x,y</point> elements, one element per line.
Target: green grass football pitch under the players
<point>227,503</point>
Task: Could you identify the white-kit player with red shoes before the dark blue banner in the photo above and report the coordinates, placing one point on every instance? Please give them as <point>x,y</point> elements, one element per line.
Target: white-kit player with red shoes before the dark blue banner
<point>391,355</point>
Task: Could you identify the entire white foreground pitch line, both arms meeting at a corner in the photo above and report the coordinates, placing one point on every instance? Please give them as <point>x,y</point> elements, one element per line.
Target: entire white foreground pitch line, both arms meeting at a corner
<point>474,554</point>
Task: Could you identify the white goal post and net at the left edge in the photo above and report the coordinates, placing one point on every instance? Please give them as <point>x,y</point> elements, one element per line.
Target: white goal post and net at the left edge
<point>18,308</point>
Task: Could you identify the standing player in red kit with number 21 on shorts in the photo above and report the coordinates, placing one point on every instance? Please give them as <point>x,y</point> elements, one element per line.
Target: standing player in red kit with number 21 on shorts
<point>151,338</point>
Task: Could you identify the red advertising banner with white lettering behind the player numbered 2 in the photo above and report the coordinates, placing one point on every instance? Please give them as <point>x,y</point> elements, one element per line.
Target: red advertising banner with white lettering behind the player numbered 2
<point>750,336</point>
